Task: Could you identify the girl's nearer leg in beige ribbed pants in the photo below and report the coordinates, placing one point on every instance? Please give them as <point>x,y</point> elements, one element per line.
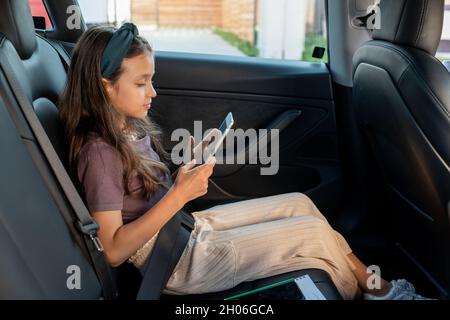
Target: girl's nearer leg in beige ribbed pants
<point>219,260</point>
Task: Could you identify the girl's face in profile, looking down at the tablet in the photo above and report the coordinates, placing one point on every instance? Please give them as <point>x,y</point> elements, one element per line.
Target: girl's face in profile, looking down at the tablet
<point>133,92</point>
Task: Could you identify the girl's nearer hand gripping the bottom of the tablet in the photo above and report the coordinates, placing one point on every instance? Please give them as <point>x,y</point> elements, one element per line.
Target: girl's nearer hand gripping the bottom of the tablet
<point>191,182</point>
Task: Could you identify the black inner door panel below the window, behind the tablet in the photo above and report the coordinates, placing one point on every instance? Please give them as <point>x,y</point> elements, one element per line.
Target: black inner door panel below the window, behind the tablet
<point>258,91</point>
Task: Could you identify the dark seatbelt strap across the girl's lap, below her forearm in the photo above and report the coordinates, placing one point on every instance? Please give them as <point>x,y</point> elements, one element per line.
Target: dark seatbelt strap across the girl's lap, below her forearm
<point>169,246</point>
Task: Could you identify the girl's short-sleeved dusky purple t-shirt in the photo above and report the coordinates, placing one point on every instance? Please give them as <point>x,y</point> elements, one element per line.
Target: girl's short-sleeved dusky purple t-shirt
<point>100,172</point>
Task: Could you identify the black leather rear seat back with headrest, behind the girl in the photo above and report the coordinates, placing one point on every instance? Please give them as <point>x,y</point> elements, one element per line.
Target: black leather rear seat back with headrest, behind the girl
<point>39,241</point>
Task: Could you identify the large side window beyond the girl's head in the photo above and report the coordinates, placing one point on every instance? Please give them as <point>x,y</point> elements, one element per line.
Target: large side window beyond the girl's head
<point>282,29</point>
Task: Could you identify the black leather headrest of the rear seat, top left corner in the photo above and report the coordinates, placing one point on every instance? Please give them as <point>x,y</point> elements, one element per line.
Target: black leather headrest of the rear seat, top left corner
<point>16,23</point>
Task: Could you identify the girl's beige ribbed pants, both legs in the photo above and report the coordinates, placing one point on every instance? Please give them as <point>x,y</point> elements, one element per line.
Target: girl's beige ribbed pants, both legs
<point>257,238</point>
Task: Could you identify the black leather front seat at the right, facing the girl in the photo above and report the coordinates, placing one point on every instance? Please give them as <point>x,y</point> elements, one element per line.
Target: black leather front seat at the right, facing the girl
<point>401,96</point>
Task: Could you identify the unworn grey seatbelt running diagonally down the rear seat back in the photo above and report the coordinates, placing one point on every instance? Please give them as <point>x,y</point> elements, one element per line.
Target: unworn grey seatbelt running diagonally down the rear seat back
<point>85,224</point>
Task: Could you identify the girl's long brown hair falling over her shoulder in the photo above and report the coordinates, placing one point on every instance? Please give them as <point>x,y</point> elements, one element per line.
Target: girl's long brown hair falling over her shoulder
<point>85,107</point>
